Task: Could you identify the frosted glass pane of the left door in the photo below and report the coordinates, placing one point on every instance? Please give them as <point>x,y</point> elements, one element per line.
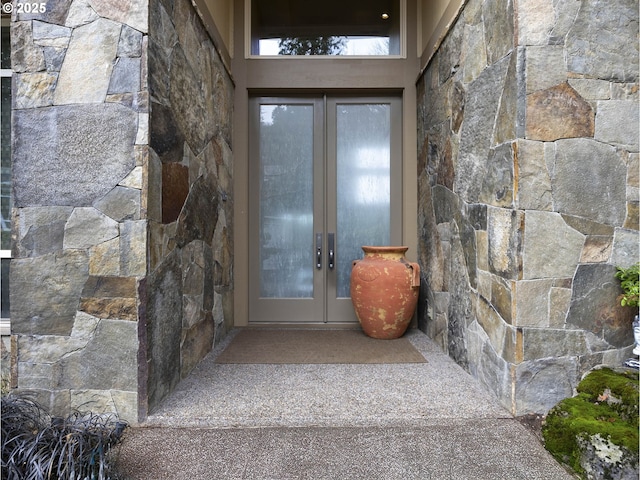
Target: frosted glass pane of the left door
<point>286,201</point>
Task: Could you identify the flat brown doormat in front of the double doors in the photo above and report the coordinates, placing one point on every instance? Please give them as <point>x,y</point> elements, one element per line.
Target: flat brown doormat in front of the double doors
<point>292,346</point>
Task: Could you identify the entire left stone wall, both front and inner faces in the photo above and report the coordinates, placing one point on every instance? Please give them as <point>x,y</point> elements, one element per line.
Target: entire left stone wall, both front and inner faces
<point>121,274</point>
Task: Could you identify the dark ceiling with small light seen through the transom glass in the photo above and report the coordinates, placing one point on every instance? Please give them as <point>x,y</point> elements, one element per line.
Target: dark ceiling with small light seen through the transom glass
<point>282,18</point>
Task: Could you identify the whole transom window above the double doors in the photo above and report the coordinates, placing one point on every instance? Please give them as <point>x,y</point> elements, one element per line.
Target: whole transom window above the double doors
<point>326,28</point>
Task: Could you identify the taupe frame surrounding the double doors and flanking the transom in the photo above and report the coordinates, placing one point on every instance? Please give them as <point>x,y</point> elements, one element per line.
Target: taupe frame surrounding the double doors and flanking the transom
<point>267,76</point>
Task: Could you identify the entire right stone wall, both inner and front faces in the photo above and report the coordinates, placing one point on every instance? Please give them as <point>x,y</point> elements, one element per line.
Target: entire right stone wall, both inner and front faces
<point>528,192</point>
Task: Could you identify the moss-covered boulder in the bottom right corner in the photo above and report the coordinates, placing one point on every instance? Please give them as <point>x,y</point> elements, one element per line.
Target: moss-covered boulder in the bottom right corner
<point>596,432</point>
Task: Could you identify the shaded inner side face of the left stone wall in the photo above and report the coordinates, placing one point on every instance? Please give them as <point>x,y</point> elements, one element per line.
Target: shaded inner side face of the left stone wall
<point>190,283</point>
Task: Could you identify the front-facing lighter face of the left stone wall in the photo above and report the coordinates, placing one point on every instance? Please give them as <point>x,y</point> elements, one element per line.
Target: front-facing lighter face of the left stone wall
<point>79,128</point>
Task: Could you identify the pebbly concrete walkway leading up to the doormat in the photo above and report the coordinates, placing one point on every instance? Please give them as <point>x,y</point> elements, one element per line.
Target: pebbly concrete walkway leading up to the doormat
<point>393,421</point>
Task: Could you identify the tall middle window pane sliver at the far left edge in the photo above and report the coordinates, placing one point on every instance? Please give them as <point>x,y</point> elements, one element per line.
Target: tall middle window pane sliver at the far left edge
<point>5,165</point>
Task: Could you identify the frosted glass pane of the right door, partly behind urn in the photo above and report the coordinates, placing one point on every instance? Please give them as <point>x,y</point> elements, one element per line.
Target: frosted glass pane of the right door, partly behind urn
<point>363,184</point>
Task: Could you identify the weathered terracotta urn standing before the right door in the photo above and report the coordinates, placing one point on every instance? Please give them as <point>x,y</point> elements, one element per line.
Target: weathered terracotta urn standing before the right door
<point>384,291</point>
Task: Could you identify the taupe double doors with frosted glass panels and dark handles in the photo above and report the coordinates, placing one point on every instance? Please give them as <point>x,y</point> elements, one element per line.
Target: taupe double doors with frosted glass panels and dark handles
<point>325,178</point>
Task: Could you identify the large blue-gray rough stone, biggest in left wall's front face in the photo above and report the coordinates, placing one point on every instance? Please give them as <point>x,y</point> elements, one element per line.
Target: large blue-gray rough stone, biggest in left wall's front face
<point>71,155</point>
